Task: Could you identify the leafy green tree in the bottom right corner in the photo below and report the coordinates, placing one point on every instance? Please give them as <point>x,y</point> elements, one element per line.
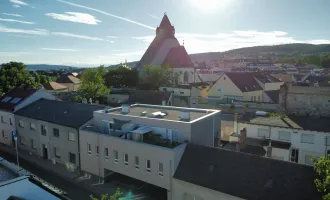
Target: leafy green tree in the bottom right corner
<point>322,182</point>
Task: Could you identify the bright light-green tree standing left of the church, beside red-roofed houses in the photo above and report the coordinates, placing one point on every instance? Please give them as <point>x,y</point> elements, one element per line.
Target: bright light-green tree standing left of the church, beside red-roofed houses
<point>92,84</point>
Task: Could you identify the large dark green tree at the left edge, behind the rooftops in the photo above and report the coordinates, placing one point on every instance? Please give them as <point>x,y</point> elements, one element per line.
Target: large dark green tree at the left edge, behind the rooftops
<point>14,74</point>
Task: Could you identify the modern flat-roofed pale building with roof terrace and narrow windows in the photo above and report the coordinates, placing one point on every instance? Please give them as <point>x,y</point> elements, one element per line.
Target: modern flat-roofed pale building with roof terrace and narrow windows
<point>144,142</point>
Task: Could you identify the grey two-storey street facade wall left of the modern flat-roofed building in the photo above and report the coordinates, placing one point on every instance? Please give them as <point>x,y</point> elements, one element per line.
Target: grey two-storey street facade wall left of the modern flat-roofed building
<point>62,144</point>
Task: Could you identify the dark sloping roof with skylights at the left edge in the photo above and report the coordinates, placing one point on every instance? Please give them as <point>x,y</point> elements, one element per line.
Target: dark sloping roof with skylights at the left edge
<point>21,93</point>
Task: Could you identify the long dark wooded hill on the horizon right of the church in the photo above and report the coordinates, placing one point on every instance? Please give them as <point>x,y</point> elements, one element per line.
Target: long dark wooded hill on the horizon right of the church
<point>294,50</point>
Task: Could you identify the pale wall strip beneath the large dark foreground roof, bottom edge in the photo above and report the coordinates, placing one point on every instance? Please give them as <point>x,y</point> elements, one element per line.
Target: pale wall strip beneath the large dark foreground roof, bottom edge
<point>180,189</point>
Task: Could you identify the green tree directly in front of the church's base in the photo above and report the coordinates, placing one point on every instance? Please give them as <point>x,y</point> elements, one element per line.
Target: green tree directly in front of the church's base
<point>153,77</point>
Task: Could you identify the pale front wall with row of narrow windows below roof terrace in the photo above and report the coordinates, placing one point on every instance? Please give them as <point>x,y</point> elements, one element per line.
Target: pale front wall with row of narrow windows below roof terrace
<point>94,164</point>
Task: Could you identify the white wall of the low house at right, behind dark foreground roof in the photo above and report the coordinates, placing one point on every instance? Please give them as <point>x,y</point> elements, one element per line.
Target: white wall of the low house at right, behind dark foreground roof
<point>305,149</point>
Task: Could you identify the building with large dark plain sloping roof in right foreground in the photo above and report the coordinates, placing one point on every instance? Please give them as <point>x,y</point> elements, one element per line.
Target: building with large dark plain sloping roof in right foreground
<point>208,173</point>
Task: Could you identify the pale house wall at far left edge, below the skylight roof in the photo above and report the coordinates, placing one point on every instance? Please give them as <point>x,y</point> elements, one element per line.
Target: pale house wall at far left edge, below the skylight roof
<point>7,128</point>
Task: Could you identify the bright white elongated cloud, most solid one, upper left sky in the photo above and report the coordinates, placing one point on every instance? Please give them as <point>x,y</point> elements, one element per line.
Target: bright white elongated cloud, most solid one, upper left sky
<point>75,17</point>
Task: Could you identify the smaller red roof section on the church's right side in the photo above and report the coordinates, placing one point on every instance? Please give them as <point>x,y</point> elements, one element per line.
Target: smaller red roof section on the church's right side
<point>178,57</point>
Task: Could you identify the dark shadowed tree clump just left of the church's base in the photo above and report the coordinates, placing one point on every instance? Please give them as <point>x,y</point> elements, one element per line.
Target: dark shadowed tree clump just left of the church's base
<point>122,77</point>
